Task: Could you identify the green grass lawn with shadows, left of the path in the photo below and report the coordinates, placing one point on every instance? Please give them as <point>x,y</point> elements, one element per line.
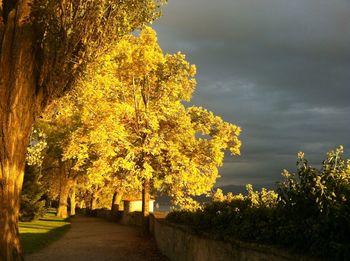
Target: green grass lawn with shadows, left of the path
<point>39,233</point>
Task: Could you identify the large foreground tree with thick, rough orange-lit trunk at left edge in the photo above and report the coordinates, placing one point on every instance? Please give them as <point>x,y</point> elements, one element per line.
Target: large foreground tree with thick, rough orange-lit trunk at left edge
<point>45,46</point>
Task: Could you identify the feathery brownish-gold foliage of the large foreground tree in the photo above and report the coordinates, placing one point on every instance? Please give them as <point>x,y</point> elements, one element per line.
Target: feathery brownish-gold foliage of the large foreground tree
<point>71,34</point>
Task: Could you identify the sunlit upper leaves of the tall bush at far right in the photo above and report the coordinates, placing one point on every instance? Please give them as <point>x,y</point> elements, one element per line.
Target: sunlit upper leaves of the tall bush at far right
<point>323,189</point>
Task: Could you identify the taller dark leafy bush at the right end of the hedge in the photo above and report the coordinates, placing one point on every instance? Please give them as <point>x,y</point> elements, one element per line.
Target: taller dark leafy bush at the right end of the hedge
<point>318,201</point>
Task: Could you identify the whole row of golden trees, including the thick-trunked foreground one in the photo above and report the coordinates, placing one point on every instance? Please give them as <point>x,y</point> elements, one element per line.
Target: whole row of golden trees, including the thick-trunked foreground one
<point>121,120</point>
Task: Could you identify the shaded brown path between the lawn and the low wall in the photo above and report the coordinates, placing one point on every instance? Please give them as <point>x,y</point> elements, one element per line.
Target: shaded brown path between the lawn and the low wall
<point>96,239</point>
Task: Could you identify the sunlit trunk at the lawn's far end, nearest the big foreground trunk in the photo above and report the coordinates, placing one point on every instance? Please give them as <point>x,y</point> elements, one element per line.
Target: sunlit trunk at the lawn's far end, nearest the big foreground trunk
<point>65,185</point>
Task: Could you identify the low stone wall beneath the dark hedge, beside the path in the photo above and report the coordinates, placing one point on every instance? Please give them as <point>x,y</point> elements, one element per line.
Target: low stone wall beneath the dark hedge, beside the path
<point>178,243</point>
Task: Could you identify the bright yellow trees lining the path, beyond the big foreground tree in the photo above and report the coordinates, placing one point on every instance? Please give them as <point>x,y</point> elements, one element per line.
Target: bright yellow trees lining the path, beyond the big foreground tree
<point>124,129</point>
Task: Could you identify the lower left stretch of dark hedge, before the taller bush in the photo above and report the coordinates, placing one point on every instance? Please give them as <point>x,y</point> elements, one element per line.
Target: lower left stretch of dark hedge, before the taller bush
<point>231,215</point>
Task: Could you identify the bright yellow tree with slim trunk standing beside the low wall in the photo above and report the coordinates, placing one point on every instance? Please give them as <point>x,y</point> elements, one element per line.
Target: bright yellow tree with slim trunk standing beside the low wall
<point>133,119</point>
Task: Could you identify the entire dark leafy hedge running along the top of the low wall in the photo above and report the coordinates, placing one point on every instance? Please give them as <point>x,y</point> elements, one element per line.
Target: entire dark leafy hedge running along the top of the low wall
<point>309,212</point>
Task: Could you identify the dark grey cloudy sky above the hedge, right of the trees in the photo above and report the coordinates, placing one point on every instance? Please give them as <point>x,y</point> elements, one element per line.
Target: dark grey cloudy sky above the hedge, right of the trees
<point>280,69</point>
